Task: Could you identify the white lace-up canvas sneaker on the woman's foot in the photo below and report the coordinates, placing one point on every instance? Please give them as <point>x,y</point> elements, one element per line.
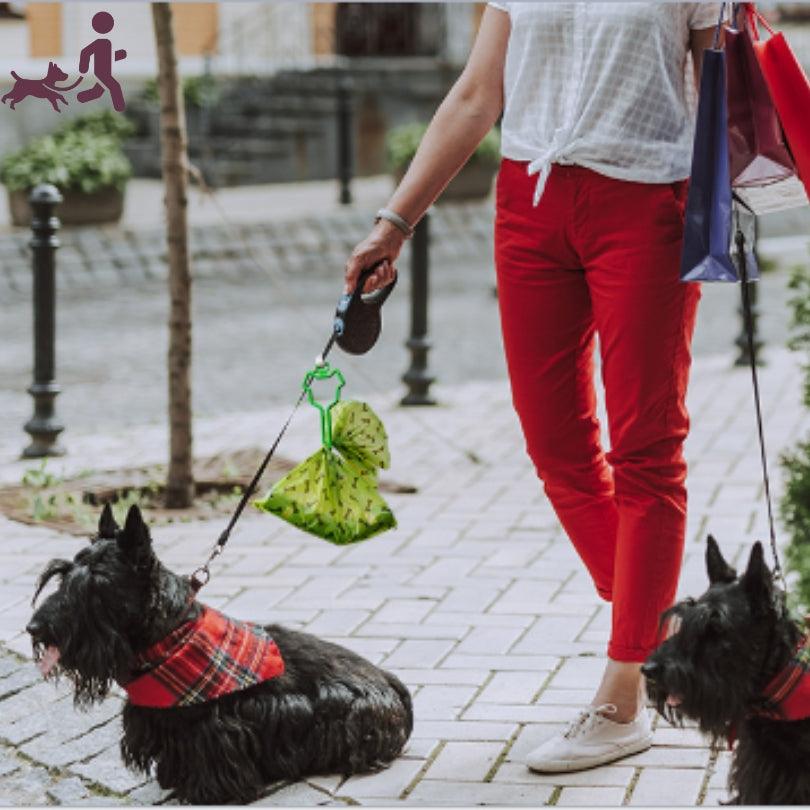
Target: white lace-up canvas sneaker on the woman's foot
<point>592,739</point>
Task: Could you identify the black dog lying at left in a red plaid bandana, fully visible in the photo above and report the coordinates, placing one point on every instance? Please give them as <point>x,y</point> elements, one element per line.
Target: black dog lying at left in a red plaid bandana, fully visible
<point>330,711</point>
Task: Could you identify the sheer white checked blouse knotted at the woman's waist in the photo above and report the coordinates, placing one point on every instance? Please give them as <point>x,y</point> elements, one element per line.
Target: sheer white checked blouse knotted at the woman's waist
<point>601,85</point>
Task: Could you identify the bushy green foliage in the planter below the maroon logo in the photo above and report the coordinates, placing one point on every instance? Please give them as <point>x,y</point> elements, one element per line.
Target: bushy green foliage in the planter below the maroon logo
<point>72,160</point>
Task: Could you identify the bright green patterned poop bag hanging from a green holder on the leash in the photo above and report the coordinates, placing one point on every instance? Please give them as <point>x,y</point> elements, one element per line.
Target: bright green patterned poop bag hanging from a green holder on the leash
<point>333,494</point>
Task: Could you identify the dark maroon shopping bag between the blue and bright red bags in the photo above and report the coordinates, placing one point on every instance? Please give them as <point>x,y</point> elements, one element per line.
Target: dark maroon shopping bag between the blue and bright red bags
<point>756,145</point>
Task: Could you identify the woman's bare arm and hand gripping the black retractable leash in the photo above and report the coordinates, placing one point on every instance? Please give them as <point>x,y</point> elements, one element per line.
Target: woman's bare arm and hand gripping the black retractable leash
<point>467,113</point>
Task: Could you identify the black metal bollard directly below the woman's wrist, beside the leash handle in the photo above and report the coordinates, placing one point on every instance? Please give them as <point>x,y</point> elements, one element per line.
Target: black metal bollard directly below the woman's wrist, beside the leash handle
<point>416,377</point>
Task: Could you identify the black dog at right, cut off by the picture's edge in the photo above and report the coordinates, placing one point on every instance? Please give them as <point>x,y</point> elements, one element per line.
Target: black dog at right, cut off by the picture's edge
<point>738,665</point>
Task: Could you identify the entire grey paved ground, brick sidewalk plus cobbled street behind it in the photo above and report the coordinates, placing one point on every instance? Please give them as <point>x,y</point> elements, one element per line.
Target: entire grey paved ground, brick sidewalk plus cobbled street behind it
<point>477,600</point>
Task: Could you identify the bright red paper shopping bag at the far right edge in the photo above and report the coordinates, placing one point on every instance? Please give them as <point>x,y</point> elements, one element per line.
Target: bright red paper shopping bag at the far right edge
<point>789,88</point>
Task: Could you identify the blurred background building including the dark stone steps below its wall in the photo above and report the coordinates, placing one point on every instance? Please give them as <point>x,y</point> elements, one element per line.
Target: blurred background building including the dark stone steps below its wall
<point>274,68</point>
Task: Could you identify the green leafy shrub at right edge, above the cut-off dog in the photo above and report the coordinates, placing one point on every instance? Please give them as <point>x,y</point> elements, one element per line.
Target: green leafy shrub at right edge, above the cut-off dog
<point>794,506</point>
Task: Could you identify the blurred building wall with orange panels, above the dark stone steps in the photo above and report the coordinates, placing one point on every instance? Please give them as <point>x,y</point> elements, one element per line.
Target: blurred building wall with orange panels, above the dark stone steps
<point>254,37</point>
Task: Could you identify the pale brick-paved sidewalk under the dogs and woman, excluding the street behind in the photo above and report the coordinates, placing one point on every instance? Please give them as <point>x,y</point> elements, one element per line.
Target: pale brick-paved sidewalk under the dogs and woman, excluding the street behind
<point>477,601</point>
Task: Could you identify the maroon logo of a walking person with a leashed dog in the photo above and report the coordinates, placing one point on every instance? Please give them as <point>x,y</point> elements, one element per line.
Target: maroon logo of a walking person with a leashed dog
<point>99,52</point>
